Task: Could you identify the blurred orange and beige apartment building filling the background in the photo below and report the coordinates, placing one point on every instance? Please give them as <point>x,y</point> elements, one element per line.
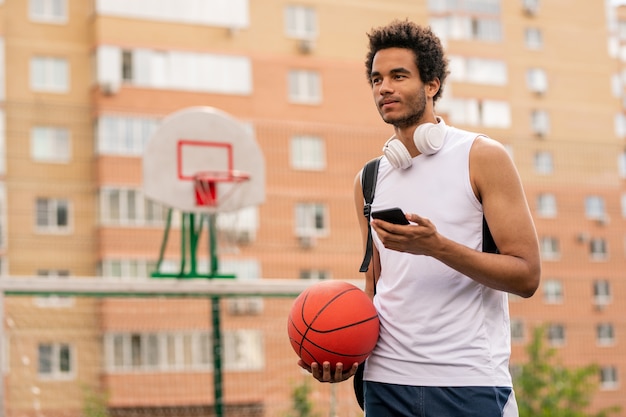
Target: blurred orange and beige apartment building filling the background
<point>86,84</point>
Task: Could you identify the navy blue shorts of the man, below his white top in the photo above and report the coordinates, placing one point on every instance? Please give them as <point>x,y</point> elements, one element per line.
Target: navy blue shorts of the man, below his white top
<point>391,400</point>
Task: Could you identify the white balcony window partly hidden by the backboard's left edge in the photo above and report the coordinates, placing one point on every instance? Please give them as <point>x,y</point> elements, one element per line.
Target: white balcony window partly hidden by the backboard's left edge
<point>124,135</point>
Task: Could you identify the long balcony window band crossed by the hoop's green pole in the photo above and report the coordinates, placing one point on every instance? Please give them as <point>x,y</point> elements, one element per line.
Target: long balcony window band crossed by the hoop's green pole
<point>187,351</point>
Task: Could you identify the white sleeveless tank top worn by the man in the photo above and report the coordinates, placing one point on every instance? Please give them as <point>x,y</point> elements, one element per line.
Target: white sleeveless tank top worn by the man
<point>438,327</point>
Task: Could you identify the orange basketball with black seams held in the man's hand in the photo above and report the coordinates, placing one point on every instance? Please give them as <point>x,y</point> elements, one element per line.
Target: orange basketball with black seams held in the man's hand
<point>333,321</point>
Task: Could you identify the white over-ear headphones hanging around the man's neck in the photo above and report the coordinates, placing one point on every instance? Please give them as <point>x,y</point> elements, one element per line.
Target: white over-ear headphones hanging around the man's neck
<point>428,138</point>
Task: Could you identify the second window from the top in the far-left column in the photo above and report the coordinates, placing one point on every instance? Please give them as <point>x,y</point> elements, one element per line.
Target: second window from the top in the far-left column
<point>48,74</point>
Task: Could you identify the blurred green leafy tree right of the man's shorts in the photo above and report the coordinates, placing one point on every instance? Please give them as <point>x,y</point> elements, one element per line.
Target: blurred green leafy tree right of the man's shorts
<point>546,388</point>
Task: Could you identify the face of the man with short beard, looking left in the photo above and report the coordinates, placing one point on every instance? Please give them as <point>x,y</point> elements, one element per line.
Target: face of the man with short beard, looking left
<point>397,88</point>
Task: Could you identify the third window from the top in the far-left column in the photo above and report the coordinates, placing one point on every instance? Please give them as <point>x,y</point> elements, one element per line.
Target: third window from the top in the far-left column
<point>50,144</point>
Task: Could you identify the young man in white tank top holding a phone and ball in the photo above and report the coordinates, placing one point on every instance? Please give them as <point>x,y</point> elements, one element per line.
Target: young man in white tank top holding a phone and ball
<point>444,342</point>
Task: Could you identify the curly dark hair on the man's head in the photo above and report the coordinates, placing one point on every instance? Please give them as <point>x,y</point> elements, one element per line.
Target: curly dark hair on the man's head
<point>429,55</point>
